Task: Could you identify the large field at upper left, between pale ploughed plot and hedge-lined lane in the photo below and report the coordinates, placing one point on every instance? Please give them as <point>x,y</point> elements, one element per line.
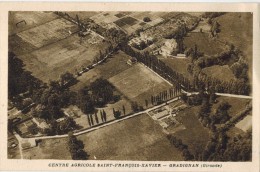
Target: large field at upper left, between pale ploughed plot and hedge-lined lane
<point>70,54</point>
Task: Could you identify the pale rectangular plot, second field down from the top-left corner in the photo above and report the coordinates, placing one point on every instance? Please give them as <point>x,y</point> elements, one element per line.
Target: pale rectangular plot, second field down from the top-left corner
<point>48,33</point>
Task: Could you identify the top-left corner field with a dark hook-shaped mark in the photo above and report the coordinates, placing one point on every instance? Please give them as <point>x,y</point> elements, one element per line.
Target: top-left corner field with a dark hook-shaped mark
<point>23,20</point>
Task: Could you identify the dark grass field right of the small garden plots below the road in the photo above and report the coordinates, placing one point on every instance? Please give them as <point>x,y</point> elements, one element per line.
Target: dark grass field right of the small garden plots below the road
<point>195,135</point>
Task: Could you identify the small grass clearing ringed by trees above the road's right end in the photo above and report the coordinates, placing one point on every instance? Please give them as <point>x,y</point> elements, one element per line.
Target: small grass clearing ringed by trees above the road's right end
<point>223,73</point>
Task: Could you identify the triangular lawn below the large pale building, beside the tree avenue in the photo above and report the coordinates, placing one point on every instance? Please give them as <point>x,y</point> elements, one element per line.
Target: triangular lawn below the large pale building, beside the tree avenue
<point>178,65</point>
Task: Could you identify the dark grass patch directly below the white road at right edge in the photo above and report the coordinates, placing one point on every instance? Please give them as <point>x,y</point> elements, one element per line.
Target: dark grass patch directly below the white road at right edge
<point>237,104</point>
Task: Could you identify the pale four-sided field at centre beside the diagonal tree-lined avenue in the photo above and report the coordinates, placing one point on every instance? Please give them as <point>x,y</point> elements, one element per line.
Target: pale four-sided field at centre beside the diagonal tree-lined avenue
<point>139,83</point>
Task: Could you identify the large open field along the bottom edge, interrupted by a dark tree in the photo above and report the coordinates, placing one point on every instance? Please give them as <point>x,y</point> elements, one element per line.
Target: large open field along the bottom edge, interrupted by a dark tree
<point>120,141</point>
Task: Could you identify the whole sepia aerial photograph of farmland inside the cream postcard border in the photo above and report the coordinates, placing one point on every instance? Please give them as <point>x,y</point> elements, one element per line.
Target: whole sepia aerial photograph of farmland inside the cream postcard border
<point>130,85</point>
